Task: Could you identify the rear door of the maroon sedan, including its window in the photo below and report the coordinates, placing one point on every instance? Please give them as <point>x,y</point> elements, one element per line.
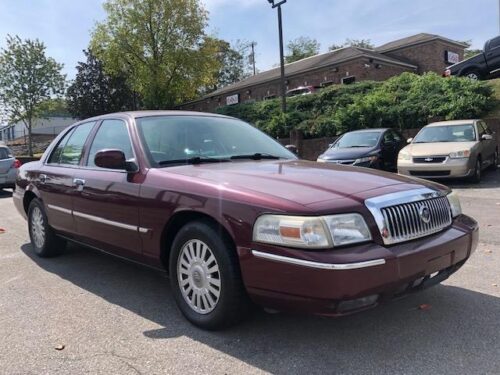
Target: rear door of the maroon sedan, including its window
<point>55,179</point>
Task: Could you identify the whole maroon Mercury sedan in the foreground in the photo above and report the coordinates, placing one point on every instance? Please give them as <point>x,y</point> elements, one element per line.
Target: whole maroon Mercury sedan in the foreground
<point>234,217</point>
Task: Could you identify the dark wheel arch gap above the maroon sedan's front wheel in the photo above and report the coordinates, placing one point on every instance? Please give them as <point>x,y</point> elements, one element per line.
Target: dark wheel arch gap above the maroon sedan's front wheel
<point>177,221</point>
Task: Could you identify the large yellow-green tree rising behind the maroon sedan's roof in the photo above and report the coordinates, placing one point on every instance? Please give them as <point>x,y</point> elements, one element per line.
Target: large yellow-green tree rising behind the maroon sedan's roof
<point>161,46</point>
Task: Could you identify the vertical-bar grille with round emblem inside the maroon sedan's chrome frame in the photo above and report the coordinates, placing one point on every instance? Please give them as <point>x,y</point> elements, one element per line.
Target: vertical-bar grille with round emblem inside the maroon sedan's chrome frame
<point>407,221</point>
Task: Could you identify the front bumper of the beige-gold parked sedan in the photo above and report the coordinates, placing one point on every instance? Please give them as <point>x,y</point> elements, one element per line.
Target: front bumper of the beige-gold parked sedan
<point>450,168</point>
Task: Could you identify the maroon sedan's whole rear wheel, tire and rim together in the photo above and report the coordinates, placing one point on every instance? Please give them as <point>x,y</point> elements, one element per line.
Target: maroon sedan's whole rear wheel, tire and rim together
<point>44,241</point>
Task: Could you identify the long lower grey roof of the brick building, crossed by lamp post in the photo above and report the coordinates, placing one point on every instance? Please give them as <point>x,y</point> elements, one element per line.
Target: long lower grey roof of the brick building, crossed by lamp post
<point>311,63</point>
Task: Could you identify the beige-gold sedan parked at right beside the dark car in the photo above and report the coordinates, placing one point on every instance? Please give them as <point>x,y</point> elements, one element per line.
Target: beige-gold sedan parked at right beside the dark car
<point>462,148</point>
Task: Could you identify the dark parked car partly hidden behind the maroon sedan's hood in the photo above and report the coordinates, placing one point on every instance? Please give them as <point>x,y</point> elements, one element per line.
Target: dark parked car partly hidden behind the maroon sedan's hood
<point>372,148</point>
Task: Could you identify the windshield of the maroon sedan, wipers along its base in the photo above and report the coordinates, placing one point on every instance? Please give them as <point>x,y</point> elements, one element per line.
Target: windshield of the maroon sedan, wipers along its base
<point>176,139</point>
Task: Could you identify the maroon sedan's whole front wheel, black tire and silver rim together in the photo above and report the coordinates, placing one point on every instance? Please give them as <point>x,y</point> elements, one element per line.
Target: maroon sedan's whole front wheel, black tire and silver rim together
<point>205,277</point>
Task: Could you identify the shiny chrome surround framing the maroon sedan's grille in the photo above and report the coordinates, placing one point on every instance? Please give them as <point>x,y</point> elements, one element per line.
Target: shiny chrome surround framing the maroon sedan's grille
<point>376,204</point>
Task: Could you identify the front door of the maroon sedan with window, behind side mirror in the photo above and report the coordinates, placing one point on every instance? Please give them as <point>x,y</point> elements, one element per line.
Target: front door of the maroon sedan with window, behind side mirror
<point>106,207</point>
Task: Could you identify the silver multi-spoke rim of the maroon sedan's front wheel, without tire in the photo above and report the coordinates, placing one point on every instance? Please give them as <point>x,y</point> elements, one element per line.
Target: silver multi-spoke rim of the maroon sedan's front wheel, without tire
<point>199,276</point>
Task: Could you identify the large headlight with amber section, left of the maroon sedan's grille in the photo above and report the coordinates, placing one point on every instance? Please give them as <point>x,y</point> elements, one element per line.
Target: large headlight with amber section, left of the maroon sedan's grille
<point>311,232</point>
